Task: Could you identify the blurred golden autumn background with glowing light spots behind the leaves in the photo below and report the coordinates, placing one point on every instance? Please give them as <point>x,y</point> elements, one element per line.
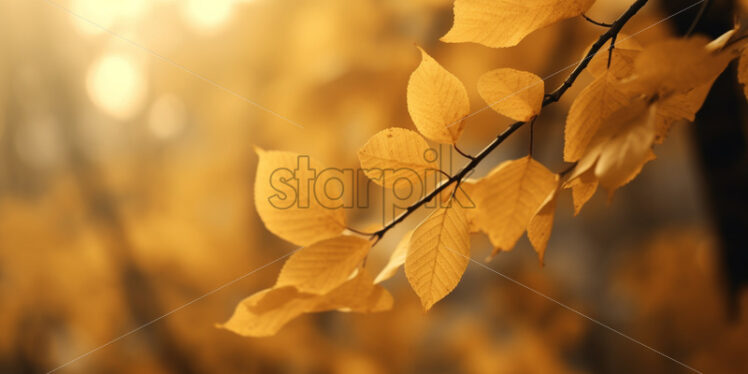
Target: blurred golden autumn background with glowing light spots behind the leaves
<point>126,191</point>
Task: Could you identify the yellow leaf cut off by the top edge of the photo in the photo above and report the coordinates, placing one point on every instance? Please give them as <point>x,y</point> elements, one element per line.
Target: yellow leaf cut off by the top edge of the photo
<point>504,23</point>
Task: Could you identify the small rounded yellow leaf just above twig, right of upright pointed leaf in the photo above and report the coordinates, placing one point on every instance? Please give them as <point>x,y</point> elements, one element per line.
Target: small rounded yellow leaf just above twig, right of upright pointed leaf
<point>513,93</point>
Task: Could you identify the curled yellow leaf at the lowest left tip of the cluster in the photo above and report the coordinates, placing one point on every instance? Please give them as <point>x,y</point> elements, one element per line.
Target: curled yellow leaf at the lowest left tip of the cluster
<point>266,312</point>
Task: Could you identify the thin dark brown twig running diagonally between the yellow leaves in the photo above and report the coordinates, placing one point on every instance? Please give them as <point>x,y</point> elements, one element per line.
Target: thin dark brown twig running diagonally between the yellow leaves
<point>549,99</point>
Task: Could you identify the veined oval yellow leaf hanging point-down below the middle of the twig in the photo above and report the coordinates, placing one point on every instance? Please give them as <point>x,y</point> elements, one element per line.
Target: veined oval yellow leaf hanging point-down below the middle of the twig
<point>438,254</point>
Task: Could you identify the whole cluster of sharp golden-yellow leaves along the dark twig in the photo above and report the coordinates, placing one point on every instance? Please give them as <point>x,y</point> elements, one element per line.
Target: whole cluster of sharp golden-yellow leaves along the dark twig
<point>614,123</point>
